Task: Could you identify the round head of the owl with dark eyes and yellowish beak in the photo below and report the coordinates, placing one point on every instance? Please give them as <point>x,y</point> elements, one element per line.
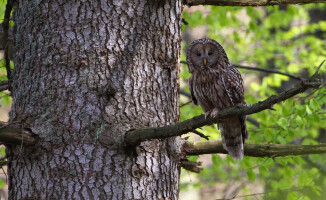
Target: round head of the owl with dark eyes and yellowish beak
<point>206,53</point>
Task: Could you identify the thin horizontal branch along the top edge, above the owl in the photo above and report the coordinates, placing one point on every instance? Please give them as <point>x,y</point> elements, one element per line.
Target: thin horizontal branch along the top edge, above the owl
<point>248,2</point>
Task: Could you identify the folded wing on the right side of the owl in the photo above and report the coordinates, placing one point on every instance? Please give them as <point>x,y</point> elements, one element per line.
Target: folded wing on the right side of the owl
<point>233,84</point>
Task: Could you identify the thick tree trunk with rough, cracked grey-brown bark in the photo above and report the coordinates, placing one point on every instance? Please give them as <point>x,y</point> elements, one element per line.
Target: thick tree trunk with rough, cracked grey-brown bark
<point>85,73</point>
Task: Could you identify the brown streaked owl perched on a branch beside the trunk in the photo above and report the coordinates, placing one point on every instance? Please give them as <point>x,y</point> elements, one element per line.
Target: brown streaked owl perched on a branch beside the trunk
<point>215,85</point>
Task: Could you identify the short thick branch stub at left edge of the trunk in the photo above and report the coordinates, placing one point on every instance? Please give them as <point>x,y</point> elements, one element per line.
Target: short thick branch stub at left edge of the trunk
<point>11,135</point>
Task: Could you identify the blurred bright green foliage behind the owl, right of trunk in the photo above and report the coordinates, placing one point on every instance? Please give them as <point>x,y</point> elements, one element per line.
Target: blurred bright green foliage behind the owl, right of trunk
<point>287,38</point>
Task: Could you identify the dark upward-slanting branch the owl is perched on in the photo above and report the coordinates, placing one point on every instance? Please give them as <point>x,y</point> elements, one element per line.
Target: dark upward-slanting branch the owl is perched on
<point>134,137</point>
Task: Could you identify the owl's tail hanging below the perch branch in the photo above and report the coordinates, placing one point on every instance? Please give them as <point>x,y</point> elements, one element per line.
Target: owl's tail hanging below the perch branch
<point>234,133</point>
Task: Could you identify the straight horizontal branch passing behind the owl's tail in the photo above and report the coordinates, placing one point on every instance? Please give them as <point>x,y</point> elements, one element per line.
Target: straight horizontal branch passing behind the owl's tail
<point>254,150</point>
